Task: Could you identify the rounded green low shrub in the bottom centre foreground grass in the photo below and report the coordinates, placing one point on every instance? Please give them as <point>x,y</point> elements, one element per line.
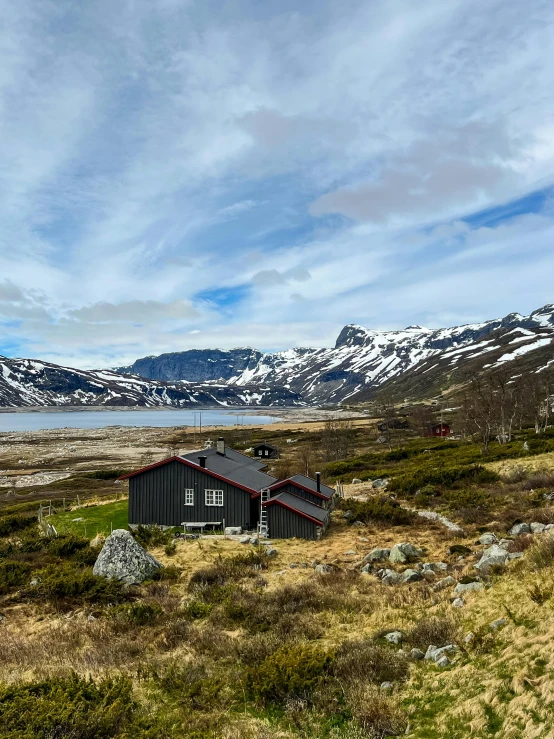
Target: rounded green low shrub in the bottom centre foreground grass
<point>292,672</point>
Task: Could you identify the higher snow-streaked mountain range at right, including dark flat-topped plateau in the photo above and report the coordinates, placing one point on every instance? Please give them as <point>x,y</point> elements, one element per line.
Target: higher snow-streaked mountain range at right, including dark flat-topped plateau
<point>362,359</point>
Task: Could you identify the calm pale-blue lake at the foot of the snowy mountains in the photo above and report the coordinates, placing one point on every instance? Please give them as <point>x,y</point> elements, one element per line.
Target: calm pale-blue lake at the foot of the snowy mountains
<point>39,420</point>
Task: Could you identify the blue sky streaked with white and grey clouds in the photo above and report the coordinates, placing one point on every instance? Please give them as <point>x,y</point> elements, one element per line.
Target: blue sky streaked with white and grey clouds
<point>180,174</point>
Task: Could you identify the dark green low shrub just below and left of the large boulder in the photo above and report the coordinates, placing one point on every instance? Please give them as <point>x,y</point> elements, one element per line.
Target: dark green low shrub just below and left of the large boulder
<point>66,582</point>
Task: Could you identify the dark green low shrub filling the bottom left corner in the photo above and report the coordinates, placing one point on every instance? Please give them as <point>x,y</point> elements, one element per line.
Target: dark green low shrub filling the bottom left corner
<point>73,707</point>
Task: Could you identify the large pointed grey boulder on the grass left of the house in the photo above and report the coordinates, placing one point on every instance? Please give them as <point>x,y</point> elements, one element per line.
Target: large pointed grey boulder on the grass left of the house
<point>122,558</point>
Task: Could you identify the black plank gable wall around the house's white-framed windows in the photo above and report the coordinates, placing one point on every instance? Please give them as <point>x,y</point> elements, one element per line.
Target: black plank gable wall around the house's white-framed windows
<point>158,496</point>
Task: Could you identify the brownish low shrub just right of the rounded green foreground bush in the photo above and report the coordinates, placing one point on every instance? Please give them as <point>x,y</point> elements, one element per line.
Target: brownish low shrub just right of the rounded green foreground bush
<point>364,660</point>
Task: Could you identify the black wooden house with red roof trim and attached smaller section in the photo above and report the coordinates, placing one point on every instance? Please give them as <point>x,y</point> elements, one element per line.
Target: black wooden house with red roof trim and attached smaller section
<point>220,486</point>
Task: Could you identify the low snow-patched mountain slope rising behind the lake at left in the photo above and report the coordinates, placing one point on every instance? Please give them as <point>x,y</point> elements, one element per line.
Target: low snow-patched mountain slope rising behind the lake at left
<point>28,382</point>
